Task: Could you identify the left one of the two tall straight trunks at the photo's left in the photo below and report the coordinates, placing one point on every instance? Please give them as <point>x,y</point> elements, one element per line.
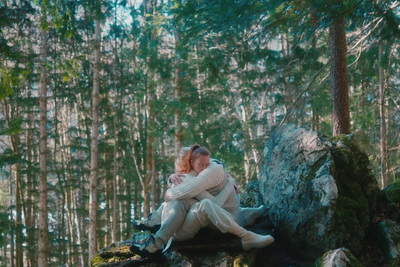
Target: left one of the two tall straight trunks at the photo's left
<point>42,220</point>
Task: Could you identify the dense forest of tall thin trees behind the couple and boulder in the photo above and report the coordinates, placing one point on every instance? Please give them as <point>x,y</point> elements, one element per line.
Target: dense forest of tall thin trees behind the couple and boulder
<point>97,95</point>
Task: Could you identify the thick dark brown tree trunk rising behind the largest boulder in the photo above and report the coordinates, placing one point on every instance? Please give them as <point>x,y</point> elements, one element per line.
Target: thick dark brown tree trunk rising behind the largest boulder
<point>340,91</point>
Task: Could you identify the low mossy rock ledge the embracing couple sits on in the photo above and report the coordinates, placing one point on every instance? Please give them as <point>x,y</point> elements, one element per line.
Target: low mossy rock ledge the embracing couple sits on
<point>208,248</point>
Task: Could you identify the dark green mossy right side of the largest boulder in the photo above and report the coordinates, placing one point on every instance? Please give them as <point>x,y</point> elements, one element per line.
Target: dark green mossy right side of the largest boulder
<point>357,187</point>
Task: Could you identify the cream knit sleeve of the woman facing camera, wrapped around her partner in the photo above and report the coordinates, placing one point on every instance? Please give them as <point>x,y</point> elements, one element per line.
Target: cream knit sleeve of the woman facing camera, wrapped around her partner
<point>209,178</point>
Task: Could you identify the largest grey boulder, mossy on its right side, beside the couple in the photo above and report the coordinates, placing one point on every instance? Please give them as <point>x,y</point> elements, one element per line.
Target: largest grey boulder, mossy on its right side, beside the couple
<point>320,193</point>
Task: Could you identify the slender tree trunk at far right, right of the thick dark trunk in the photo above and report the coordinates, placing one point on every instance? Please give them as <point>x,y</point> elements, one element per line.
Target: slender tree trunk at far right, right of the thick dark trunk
<point>384,178</point>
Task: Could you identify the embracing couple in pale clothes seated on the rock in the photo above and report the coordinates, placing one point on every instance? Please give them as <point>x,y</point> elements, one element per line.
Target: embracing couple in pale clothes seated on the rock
<point>201,194</point>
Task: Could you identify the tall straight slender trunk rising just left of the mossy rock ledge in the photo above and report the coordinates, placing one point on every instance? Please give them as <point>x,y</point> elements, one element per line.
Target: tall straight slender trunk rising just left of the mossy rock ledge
<point>94,169</point>
